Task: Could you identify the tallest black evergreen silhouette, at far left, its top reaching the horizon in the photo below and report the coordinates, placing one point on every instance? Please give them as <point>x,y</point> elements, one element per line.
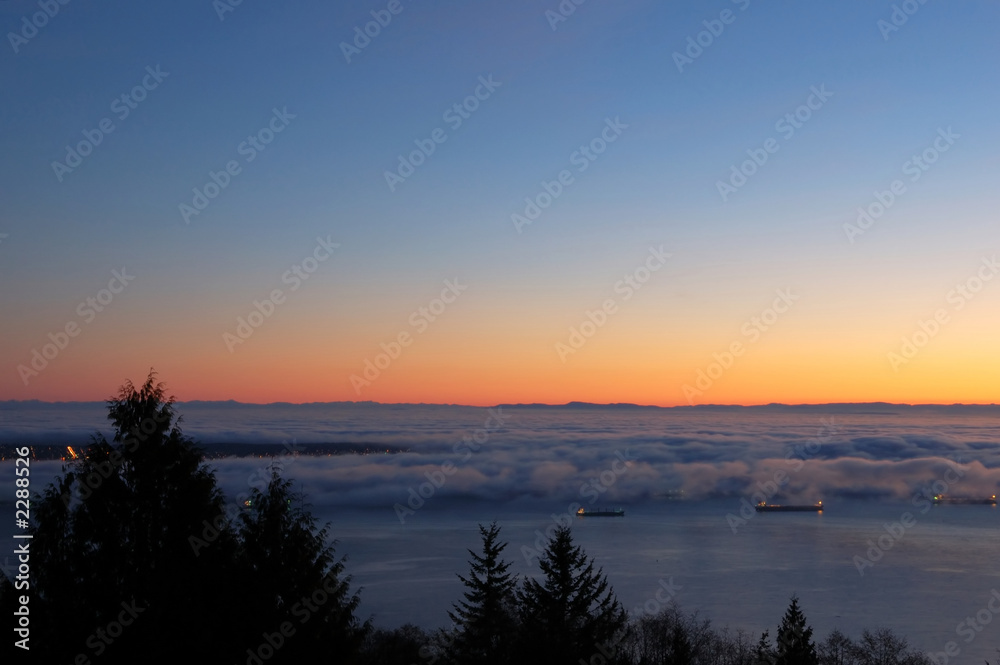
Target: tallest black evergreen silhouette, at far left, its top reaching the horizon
<point>111,535</point>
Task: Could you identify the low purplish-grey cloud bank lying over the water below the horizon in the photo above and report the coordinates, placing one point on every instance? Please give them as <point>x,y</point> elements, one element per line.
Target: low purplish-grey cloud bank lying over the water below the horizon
<point>611,455</point>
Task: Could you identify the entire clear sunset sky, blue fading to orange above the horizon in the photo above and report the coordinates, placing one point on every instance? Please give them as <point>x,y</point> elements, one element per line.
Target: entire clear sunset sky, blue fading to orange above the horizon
<point>659,203</point>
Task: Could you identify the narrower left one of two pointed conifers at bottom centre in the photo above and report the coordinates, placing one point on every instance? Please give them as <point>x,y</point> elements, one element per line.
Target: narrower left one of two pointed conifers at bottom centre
<point>485,621</point>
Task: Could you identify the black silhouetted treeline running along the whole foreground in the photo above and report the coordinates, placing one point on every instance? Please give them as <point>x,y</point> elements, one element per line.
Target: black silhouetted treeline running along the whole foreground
<point>136,557</point>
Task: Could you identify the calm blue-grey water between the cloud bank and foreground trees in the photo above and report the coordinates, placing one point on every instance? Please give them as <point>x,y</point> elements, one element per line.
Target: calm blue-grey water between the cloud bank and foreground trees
<point>937,574</point>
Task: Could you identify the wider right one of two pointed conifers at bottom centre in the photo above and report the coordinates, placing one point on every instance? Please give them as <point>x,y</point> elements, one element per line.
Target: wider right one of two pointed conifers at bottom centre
<point>572,614</point>
